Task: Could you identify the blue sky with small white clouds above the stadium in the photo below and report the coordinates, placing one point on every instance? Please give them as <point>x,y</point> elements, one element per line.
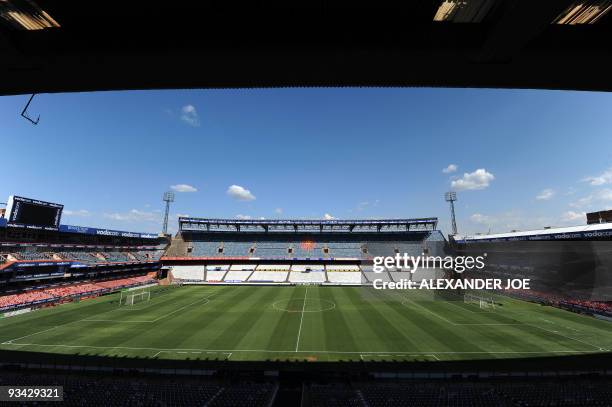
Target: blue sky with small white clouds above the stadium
<point>522,158</point>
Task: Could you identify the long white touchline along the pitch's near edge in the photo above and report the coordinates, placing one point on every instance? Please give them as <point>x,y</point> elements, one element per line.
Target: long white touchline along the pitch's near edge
<point>308,351</point>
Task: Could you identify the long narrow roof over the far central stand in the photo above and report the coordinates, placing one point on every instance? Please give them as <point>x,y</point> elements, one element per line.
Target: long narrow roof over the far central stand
<point>306,225</point>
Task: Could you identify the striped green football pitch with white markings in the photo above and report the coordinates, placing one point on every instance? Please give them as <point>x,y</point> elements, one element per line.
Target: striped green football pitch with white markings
<point>312,323</point>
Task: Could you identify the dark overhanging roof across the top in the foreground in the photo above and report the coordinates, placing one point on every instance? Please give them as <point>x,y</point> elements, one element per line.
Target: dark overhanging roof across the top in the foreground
<point>55,46</point>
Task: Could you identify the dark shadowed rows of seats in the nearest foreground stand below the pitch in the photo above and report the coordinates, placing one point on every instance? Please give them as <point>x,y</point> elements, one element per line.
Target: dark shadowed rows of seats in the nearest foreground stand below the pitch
<point>100,389</point>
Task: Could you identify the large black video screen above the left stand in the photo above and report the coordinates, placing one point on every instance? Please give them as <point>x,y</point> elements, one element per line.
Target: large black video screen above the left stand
<point>33,213</point>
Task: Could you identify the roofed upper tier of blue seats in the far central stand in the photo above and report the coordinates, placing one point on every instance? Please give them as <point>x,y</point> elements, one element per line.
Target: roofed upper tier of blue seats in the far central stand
<point>295,239</point>
